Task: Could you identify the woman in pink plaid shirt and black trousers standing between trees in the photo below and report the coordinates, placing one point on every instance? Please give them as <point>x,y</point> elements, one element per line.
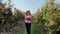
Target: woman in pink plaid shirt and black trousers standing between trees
<point>28,18</point>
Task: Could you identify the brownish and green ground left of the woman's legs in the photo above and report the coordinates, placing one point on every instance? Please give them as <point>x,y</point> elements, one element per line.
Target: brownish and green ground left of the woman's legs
<point>19,29</point>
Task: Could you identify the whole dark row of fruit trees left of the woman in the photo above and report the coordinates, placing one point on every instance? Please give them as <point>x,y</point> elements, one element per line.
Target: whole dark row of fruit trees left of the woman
<point>7,19</point>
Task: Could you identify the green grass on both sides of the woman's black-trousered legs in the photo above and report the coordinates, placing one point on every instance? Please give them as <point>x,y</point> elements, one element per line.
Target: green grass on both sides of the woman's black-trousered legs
<point>35,29</point>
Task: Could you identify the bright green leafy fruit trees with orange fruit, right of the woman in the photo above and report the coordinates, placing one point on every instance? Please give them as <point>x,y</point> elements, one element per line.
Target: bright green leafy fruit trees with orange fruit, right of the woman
<point>48,18</point>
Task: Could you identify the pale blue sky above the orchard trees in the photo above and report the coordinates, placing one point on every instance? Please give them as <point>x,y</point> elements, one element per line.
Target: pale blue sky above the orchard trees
<point>32,5</point>
